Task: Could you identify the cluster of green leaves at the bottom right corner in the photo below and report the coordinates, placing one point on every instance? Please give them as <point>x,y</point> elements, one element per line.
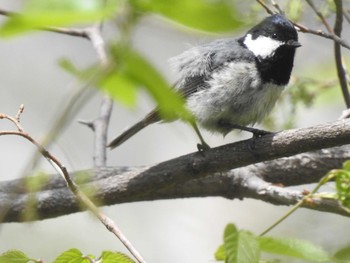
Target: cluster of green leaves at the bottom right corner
<point>241,246</point>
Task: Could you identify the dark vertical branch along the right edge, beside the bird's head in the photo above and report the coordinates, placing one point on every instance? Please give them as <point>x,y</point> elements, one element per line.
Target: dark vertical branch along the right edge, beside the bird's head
<point>337,52</point>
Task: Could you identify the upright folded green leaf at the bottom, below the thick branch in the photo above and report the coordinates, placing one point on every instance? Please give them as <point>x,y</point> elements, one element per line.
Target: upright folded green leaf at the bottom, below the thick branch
<point>239,246</point>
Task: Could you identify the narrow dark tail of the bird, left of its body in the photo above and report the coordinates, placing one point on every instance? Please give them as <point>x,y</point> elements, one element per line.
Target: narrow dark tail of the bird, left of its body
<point>152,117</point>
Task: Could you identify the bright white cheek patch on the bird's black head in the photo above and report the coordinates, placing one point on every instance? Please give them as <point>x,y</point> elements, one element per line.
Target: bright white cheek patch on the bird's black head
<point>262,46</point>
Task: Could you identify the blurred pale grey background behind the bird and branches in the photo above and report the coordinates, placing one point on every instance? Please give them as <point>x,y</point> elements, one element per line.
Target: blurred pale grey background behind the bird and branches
<point>172,231</point>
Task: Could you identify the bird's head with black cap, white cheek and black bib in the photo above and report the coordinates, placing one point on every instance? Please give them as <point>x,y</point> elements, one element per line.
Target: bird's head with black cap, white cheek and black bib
<point>273,42</point>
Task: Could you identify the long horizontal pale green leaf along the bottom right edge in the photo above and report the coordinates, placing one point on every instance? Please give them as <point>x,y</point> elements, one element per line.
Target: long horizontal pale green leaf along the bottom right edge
<point>293,248</point>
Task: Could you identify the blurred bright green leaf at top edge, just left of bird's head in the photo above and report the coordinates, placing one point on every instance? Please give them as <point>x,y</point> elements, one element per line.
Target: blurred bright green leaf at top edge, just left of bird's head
<point>219,15</point>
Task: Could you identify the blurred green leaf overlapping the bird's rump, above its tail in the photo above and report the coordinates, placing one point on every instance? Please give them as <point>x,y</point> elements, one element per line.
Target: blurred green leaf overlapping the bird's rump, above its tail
<point>132,70</point>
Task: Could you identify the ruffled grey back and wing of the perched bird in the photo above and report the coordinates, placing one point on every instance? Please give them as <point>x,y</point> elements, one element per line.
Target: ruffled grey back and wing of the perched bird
<point>197,64</point>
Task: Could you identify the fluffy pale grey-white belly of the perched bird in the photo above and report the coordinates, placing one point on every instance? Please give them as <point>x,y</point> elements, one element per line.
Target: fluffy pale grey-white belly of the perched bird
<point>236,96</point>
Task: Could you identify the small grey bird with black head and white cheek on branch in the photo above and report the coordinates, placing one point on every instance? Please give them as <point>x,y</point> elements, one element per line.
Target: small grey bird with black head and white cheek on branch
<point>231,83</point>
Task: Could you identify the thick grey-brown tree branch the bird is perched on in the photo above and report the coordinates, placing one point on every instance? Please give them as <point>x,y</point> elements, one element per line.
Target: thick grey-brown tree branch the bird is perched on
<point>197,174</point>
